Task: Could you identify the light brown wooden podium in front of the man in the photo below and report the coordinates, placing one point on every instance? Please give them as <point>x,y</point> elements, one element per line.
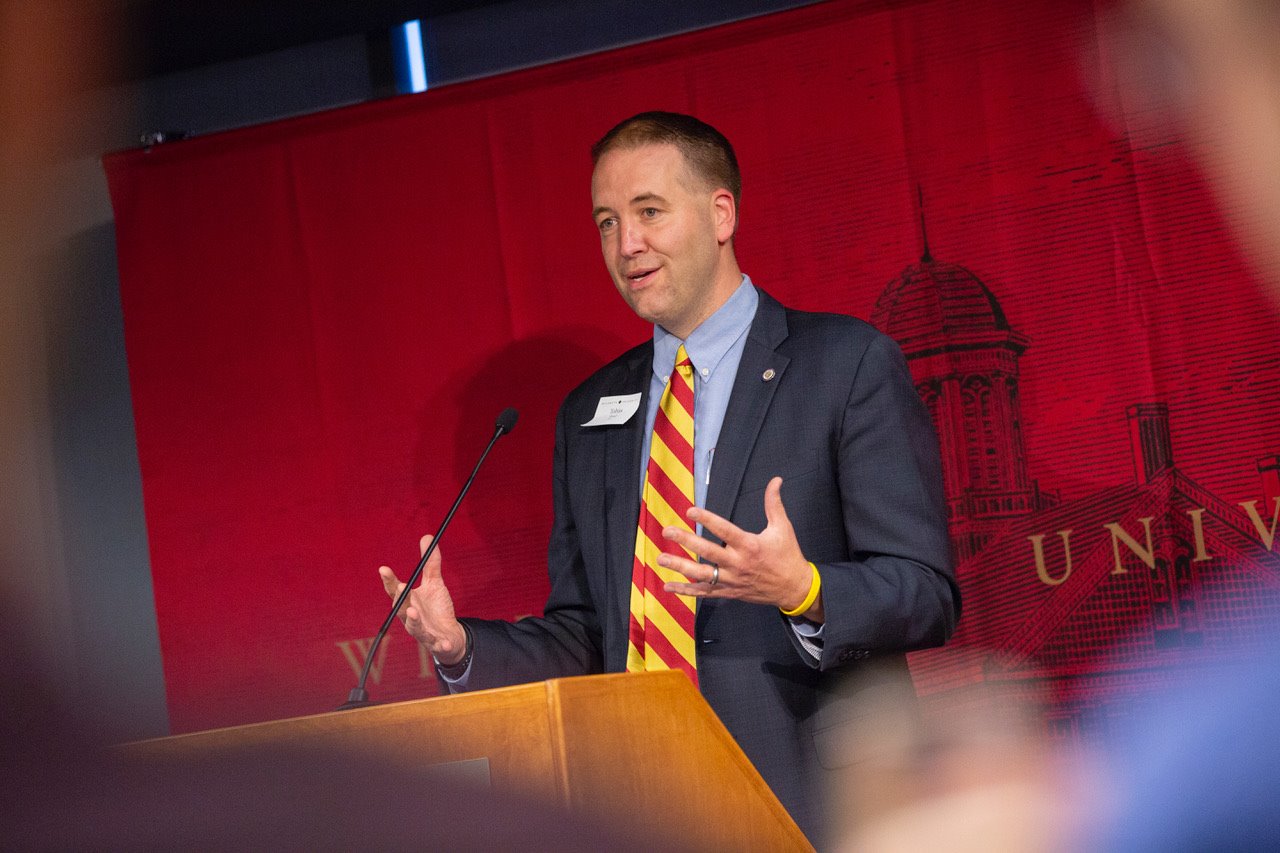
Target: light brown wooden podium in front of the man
<point>593,745</point>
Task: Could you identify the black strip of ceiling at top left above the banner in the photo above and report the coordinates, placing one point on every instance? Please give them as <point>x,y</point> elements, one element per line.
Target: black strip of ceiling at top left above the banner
<point>176,35</point>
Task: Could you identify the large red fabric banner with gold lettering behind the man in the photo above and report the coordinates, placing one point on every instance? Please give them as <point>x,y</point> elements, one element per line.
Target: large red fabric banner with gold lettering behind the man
<point>324,317</point>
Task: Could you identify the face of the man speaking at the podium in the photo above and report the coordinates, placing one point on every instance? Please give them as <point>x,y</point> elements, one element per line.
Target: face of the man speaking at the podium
<point>664,234</point>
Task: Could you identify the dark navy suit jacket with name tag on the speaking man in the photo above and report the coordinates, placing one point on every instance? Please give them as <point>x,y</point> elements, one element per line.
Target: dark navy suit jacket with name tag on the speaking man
<point>840,421</point>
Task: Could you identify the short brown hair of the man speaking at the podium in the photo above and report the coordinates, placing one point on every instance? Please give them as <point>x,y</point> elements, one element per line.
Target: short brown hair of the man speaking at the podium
<point>706,150</point>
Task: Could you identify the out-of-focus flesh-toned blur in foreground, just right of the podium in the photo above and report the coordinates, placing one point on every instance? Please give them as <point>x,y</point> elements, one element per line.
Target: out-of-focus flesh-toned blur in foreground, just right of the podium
<point>977,776</point>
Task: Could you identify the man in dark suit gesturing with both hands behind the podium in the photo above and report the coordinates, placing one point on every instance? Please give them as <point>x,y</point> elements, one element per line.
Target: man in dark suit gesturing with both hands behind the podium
<point>821,409</point>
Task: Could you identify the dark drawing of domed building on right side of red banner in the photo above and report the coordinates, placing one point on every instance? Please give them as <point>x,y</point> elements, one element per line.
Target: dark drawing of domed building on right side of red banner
<point>1092,601</point>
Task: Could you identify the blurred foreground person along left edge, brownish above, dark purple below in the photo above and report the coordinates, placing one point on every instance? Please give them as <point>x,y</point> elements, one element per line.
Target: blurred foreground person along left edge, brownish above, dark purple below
<point>61,787</point>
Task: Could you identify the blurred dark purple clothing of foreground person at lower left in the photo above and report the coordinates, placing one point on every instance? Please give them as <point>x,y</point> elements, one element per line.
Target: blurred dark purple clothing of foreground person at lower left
<point>63,791</point>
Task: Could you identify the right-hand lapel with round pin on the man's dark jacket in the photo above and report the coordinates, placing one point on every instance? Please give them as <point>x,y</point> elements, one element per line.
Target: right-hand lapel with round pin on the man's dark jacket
<point>748,404</point>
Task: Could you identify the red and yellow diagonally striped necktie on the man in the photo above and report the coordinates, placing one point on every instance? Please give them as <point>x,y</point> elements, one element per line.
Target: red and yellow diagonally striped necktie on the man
<point>662,623</point>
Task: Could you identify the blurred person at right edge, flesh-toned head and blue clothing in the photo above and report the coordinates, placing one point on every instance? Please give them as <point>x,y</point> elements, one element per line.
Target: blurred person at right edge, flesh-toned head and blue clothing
<point>1201,768</point>
